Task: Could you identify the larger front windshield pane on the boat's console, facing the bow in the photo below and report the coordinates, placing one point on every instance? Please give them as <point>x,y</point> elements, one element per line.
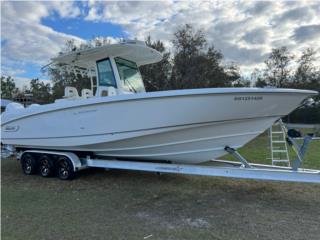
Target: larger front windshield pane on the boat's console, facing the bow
<point>130,75</point>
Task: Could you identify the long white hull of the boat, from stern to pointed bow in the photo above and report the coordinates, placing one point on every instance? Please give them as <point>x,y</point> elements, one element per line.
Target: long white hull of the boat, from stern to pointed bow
<point>179,126</point>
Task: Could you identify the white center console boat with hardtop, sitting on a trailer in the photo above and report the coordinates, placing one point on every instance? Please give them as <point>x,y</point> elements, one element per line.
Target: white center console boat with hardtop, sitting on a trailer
<point>122,121</point>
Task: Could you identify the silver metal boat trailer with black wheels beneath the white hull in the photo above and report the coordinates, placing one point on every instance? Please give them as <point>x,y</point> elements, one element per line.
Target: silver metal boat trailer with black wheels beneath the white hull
<point>68,163</point>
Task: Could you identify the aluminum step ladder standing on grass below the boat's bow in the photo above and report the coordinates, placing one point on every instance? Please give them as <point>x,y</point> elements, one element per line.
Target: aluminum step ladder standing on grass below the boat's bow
<point>278,145</point>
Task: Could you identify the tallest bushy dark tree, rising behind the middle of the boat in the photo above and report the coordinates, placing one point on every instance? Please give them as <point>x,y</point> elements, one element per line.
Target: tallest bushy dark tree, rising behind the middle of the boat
<point>195,65</point>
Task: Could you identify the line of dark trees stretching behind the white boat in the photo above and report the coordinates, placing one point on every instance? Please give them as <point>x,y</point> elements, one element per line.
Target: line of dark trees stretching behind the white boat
<point>193,62</point>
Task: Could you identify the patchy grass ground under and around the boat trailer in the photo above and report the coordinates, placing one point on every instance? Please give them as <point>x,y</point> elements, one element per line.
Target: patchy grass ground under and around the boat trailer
<point>118,204</point>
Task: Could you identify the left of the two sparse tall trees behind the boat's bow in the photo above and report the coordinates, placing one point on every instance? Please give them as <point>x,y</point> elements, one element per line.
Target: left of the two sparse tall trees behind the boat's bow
<point>277,72</point>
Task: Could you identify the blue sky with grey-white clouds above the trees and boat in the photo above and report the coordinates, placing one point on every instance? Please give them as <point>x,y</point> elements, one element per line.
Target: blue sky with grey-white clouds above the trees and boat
<point>32,32</point>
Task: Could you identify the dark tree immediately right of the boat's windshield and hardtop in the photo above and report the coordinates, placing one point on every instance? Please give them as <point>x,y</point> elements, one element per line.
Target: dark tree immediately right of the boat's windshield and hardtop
<point>156,76</point>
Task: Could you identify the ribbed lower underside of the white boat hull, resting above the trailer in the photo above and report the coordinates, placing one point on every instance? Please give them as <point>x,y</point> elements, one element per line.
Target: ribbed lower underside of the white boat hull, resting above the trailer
<point>191,144</point>
